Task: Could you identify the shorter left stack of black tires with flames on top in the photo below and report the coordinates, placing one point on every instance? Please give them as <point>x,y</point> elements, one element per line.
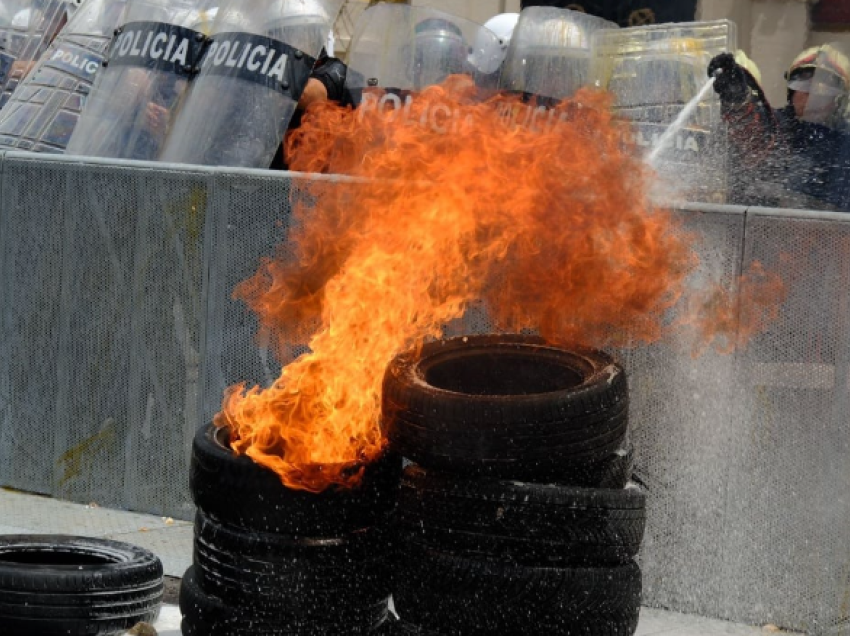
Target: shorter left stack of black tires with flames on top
<point>269,560</point>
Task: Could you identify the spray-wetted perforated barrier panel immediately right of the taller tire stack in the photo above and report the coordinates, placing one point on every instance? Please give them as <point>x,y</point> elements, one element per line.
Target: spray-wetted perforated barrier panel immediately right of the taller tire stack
<point>682,421</point>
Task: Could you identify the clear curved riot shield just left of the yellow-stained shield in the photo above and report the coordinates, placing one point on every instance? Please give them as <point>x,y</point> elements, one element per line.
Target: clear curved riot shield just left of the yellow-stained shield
<point>549,56</point>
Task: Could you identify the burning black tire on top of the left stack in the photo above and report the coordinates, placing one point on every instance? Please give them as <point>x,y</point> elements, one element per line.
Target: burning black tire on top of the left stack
<point>236,490</point>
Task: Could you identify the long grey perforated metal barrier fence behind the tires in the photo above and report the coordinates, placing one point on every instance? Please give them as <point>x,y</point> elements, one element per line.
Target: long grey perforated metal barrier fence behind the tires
<point>118,335</point>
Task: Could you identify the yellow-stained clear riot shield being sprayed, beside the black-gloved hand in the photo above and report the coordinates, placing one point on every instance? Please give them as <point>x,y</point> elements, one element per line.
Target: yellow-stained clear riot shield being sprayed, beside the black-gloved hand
<point>658,76</point>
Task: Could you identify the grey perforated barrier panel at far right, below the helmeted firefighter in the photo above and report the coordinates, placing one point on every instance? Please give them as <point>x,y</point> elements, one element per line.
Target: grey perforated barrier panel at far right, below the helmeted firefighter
<point>786,534</point>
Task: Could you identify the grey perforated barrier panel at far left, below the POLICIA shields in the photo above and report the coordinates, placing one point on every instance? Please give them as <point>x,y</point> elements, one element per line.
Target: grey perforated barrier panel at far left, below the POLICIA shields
<point>103,298</point>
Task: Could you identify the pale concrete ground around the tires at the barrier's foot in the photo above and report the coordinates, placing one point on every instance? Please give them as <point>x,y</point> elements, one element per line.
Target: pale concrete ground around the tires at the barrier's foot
<point>171,541</point>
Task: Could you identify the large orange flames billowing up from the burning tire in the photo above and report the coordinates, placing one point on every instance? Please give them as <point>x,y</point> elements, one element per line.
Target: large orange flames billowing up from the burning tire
<point>452,202</point>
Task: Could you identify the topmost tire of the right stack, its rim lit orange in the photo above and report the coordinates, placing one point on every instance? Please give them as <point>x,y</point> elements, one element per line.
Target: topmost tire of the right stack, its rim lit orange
<point>506,406</point>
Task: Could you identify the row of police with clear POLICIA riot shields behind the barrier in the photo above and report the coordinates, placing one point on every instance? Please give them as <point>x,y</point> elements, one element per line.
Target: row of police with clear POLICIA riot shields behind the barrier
<point>218,83</point>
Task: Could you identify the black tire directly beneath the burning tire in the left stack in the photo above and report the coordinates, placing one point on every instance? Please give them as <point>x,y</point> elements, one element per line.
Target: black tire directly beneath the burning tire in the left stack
<point>299,577</point>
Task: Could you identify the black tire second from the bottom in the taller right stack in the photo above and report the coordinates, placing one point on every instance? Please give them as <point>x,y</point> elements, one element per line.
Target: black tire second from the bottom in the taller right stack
<point>533,524</point>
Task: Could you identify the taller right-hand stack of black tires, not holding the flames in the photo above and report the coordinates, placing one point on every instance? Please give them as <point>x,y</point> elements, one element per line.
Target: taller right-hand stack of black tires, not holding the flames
<point>515,515</point>
